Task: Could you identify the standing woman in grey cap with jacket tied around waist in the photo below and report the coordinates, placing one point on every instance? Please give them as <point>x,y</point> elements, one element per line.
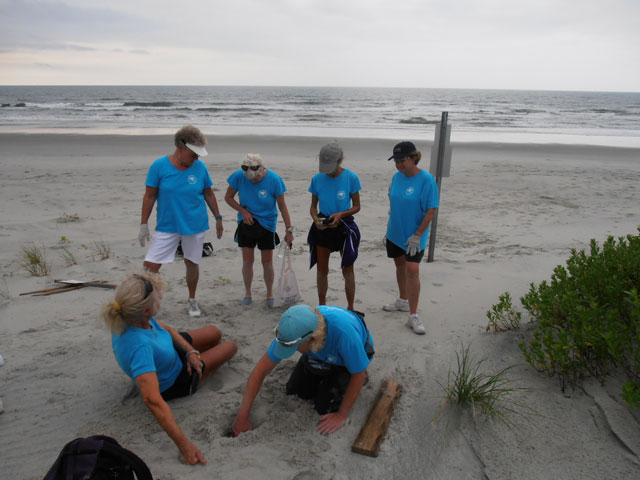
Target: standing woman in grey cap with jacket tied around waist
<point>336,190</point>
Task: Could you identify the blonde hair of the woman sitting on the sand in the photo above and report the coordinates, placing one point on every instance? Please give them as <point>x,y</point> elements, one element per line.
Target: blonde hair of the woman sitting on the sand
<point>130,300</point>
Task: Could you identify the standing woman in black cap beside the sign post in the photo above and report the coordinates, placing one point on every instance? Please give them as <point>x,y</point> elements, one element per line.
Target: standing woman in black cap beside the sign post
<point>413,195</point>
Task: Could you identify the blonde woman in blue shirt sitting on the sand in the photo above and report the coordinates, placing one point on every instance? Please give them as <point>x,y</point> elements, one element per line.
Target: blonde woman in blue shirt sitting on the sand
<point>164,364</point>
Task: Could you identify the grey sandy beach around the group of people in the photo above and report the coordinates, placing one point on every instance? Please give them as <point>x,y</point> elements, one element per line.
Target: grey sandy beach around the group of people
<point>508,214</point>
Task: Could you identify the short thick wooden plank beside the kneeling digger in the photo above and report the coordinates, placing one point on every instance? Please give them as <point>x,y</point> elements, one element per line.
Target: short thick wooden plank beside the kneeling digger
<point>375,427</point>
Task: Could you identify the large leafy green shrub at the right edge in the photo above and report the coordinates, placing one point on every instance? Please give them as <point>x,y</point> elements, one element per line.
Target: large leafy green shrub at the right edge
<point>587,317</point>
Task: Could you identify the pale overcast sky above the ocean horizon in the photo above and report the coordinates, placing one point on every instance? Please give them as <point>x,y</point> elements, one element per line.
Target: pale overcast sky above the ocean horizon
<point>498,44</point>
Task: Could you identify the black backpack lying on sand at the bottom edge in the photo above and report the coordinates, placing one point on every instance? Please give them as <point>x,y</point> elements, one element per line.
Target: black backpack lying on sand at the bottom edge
<point>97,458</point>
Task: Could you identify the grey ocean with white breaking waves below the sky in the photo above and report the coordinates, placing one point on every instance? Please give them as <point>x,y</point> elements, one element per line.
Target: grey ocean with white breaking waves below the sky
<point>591,118</point>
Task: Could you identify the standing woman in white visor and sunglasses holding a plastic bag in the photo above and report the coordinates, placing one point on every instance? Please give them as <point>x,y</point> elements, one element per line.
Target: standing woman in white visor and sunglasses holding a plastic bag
<point>259,191</point>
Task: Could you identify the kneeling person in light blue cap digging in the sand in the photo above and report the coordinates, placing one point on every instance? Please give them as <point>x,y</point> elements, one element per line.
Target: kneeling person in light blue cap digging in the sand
<point>336,349</point>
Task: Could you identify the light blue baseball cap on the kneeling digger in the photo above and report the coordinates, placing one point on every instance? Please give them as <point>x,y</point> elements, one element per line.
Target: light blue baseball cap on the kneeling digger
<point>296,325</point>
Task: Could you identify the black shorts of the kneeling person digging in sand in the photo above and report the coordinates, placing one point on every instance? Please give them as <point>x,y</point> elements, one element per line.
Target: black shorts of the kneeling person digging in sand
<point>324,384</point>
